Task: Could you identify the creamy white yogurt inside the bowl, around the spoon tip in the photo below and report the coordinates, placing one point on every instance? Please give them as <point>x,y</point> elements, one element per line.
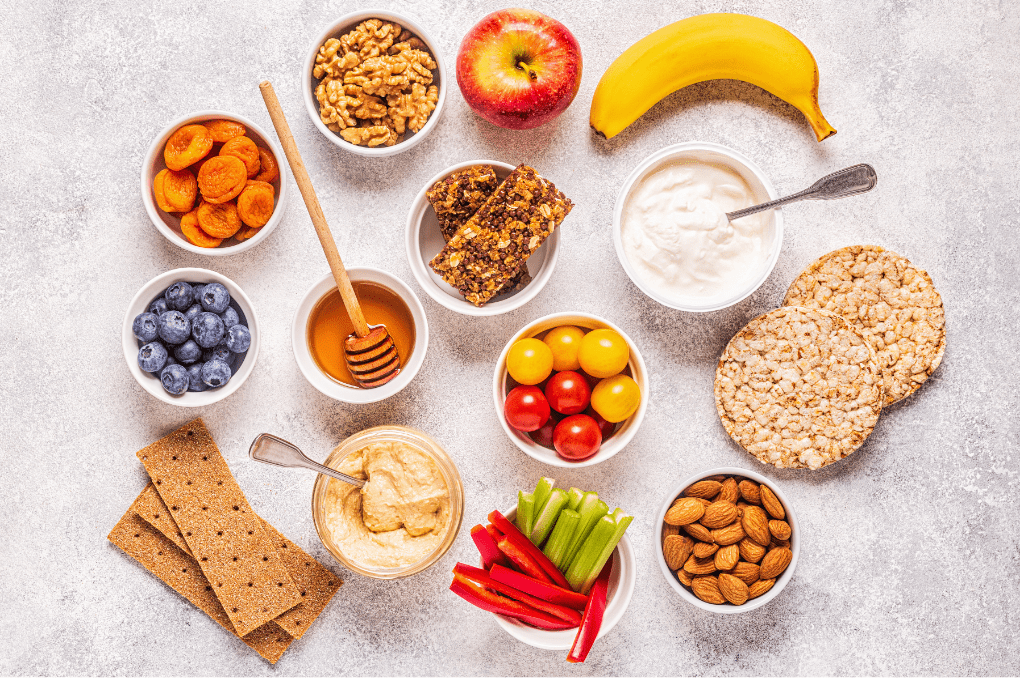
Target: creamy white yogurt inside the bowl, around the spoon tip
<point>679,242</point>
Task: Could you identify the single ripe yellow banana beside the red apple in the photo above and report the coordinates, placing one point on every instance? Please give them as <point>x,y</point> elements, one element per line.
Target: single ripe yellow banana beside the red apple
<point>708,47</point>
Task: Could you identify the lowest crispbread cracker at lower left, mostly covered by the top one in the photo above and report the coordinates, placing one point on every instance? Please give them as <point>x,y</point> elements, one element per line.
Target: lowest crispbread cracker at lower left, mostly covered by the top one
<point>159,555</point>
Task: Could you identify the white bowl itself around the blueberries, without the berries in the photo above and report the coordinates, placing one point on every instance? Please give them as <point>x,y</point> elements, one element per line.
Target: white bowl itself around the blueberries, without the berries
<point>140,303</point>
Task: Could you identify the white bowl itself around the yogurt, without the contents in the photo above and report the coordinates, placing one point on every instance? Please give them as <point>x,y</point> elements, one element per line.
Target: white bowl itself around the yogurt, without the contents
<point>717,153</point>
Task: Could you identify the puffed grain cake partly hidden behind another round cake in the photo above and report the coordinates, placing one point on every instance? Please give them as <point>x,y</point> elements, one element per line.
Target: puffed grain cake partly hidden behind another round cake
<point>893,303</point>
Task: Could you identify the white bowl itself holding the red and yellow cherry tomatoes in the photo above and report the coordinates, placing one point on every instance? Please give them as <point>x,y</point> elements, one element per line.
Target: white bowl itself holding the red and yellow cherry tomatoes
<point>626,431</point>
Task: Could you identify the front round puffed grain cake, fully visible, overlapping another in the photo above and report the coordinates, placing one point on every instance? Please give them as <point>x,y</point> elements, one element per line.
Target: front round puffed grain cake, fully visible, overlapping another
<point>799,388</point>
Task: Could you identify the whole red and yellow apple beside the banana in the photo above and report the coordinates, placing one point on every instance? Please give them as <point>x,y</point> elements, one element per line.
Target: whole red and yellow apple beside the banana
<point>519,69</point>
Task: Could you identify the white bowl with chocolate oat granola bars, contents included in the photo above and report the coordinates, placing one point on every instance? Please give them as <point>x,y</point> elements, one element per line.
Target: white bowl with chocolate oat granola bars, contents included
<point>472,211</point>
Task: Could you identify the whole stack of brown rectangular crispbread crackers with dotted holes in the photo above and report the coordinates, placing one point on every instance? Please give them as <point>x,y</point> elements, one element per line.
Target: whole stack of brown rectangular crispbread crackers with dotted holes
<point>193,529</point>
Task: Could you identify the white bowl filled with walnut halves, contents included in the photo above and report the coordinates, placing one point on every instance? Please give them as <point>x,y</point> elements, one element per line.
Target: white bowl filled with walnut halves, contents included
<point>375,83</point>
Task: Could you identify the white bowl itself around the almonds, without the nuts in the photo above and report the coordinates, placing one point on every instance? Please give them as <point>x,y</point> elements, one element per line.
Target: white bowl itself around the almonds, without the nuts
<point>795,544</point>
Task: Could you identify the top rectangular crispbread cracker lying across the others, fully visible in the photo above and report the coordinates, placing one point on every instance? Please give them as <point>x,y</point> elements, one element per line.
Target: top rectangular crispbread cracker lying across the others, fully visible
<point>223,532</point>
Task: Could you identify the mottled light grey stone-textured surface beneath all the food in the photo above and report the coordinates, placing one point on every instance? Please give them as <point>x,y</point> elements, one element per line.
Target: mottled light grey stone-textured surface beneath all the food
<point>911,554</point>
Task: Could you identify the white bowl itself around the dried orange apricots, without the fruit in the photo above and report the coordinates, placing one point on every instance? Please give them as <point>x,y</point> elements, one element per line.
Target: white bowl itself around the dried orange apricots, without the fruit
<point>156,152</point>
